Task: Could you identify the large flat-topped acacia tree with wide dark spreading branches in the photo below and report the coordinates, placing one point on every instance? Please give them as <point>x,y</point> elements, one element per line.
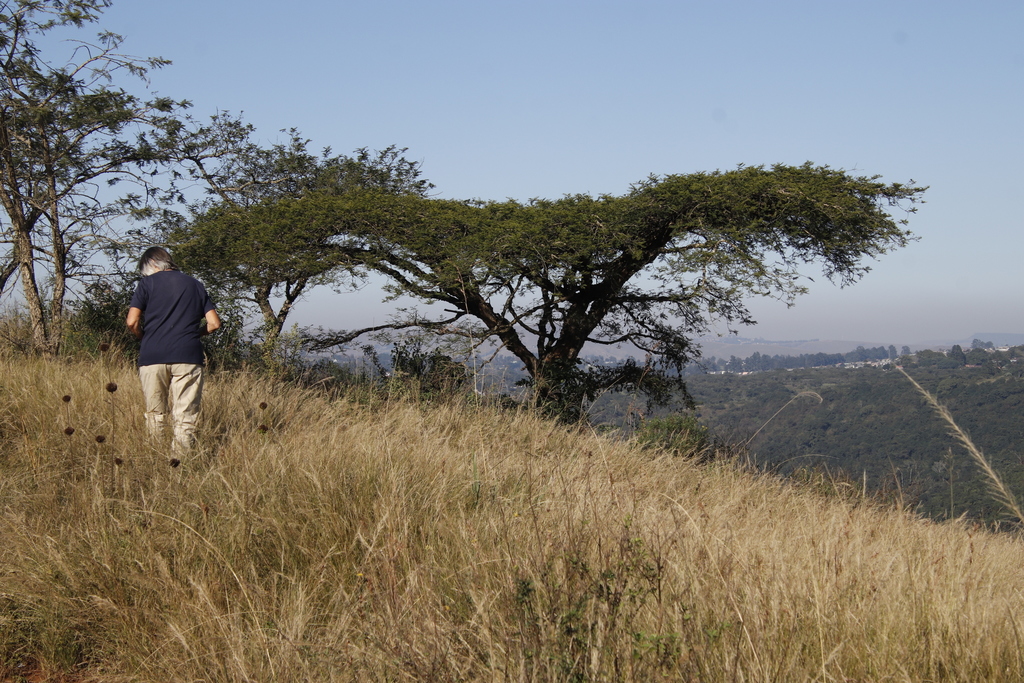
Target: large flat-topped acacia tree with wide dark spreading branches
<point>653,269</point>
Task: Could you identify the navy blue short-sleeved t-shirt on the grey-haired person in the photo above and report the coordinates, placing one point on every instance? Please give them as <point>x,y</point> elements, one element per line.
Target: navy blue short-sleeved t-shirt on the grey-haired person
<point>174,305</point>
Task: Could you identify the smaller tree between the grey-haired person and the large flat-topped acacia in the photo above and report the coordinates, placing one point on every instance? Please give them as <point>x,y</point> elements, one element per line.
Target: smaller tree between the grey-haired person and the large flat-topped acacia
<point>264,230</point>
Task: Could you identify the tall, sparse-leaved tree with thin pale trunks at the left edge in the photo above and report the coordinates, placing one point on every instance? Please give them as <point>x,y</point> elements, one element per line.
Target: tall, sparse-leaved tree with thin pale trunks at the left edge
<point>67,135</point>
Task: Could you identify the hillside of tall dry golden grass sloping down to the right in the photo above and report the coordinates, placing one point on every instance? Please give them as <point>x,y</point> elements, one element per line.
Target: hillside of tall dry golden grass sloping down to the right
<point>323,539</point>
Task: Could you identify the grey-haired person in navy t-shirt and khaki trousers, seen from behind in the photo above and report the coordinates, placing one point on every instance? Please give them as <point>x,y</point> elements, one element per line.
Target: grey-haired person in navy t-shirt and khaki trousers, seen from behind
<point>170,360</point>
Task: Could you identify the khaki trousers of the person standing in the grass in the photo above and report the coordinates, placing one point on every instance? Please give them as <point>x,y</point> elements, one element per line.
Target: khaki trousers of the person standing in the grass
<point>175,389</point>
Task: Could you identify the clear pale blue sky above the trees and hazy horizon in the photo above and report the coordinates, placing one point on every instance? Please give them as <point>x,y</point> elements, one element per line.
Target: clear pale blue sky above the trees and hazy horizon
<point>531,99</point>
